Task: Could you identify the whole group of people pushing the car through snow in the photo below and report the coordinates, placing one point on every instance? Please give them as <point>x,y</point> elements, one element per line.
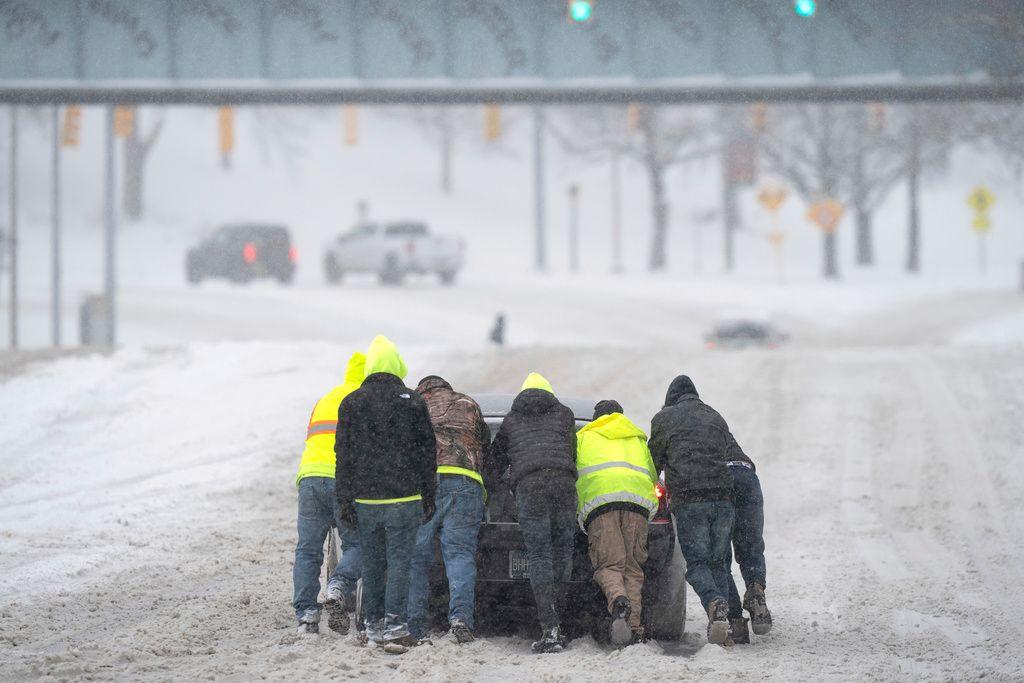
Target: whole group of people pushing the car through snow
<point>396,469</point>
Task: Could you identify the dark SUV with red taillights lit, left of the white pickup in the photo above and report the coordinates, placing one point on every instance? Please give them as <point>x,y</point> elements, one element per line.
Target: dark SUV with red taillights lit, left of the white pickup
<point>243,252</point>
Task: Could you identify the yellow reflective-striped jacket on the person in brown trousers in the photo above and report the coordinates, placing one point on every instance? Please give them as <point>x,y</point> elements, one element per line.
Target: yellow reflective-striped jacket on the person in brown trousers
<point>614,465</point>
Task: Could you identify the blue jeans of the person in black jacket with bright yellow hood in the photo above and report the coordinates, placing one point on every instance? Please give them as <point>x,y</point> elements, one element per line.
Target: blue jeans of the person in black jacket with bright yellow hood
<point>388,535</point>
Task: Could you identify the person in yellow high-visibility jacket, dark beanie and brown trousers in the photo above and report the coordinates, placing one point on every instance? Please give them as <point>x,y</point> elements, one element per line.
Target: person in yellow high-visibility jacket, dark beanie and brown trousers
<point>616,499</point>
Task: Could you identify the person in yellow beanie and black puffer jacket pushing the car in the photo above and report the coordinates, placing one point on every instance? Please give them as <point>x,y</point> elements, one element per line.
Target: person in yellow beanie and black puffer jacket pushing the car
<point>537,445</point>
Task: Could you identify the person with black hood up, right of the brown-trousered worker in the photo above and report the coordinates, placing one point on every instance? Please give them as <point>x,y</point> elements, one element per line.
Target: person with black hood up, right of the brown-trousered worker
<point>690,441</point>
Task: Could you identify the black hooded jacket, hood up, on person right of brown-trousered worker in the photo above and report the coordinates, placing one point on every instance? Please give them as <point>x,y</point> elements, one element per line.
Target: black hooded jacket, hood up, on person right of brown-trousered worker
<point>692,443</point>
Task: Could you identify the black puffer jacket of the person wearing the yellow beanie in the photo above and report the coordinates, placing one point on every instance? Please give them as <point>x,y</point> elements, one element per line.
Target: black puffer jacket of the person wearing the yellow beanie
<point>538,435</point>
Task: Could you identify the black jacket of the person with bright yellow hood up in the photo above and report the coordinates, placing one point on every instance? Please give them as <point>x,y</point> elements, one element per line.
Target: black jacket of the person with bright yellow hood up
<point>386,444</point>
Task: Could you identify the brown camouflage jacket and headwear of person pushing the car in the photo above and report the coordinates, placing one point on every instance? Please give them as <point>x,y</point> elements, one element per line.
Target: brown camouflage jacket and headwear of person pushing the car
<point>463,437</point>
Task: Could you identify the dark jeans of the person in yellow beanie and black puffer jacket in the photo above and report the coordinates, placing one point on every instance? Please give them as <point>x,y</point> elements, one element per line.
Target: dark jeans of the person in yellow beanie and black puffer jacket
<point>547,519</point>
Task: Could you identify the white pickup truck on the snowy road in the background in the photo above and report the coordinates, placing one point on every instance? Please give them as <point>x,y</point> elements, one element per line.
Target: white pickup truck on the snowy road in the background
<point>394,251</point>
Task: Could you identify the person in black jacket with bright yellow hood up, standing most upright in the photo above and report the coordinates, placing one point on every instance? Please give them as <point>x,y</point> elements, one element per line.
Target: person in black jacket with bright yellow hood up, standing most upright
<point>387,451</point>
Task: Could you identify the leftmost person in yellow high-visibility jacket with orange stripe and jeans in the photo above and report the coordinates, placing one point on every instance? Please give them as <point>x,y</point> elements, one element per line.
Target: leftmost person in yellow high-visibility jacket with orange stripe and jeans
<point>319,513</point>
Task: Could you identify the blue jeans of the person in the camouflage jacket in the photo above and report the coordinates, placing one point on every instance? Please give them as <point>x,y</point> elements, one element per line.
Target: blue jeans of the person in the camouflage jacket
<point>460,511</point>
